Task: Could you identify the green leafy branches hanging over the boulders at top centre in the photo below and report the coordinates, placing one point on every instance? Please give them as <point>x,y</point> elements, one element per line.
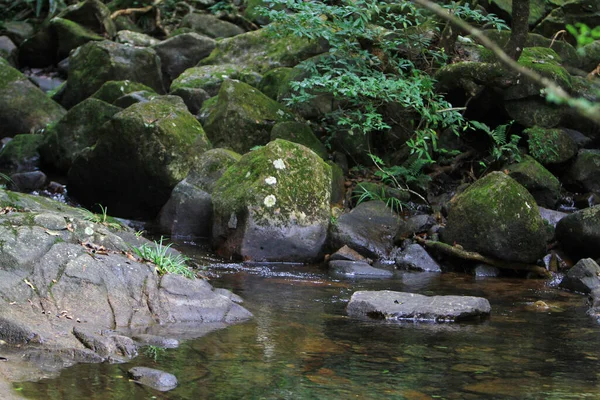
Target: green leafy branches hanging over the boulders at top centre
<point>379,55</point>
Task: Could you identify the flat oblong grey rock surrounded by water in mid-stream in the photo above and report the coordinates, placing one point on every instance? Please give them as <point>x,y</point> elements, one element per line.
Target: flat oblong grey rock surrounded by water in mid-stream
<point>386,304</point>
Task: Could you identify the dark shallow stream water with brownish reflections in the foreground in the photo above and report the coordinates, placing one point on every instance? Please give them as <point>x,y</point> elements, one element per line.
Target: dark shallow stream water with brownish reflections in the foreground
<point>301,345</point>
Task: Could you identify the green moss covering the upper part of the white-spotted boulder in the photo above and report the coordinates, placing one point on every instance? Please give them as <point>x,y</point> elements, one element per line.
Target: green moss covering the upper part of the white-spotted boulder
<point>303,182</point>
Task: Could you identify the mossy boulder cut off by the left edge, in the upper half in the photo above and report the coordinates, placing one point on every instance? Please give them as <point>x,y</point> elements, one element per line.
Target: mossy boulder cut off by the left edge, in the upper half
<point>23,106</point>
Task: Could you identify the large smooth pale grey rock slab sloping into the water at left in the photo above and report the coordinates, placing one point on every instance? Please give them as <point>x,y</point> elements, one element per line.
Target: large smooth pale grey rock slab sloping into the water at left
<point>64,280</point>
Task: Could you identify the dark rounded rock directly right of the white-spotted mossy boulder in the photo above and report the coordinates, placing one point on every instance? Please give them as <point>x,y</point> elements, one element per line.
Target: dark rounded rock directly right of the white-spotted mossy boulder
<point>369,229</point>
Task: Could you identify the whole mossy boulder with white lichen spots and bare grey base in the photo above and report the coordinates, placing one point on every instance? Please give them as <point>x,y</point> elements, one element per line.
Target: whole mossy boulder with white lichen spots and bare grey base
<point>273,205</point>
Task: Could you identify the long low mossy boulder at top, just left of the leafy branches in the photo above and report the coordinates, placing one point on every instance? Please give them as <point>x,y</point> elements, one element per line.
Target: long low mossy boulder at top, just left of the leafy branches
<point>261,51</point>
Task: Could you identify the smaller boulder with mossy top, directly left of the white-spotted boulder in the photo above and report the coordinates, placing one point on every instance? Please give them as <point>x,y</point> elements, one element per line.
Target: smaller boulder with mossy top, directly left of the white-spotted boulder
<point>188,213</point>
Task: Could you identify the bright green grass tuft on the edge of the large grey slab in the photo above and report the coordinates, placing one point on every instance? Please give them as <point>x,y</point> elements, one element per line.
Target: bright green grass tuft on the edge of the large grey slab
<point>165,261</point>
